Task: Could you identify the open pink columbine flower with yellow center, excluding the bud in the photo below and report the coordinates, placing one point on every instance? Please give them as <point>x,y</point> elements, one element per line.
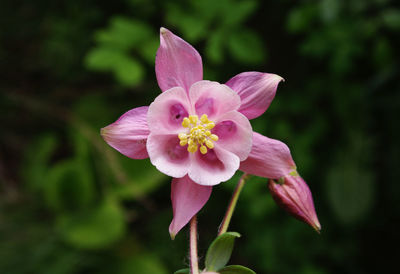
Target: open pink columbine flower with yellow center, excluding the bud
<point>198,131</point>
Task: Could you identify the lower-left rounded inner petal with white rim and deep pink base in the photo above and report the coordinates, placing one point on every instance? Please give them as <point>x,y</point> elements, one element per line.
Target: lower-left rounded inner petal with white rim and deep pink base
<point>167,155</point>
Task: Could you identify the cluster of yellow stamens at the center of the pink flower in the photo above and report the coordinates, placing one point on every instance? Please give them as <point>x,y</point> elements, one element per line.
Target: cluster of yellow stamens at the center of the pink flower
<point>198,133</point>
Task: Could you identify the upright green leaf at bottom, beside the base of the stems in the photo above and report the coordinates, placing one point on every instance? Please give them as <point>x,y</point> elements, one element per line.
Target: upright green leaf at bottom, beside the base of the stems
<point>220,251</point>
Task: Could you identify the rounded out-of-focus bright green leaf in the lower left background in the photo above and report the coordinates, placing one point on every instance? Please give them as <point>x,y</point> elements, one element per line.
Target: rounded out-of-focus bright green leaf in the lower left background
<point>95,228</point>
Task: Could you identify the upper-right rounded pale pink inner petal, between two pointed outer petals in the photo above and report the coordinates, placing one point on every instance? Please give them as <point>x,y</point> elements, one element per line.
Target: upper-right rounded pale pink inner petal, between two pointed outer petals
<point>213,99</point>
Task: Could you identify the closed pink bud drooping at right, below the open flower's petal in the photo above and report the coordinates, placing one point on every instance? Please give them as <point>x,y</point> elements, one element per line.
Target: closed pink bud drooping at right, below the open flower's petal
<point>293,195</point>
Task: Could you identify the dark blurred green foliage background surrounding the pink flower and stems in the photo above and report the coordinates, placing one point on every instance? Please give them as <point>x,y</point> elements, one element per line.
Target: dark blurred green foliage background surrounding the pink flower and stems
<point>71,204</point>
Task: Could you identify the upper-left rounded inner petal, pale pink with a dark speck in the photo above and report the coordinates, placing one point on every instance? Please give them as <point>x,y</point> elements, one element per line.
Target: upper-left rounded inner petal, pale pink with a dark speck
<point>166,113</point>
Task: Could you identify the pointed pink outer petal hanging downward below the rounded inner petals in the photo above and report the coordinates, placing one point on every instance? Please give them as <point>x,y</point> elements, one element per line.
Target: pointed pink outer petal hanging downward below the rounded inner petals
<point>187,199</point>
